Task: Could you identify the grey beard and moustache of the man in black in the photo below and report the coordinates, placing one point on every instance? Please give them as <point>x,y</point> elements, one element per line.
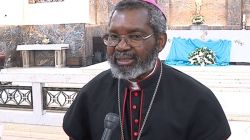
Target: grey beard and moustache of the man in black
<point>132,72</point>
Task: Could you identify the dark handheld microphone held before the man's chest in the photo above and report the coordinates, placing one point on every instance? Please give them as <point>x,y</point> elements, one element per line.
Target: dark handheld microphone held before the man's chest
<point>111,121</point>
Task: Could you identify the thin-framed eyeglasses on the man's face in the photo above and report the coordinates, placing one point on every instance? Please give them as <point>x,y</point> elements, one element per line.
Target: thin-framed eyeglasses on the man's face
<point>112,40</point>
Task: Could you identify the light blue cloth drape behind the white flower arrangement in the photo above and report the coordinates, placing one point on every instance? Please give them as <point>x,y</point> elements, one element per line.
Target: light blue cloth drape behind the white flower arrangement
<point>181,48</point>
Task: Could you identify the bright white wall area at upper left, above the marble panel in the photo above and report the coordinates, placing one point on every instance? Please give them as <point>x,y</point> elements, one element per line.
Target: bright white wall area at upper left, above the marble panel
<point>20,12</point>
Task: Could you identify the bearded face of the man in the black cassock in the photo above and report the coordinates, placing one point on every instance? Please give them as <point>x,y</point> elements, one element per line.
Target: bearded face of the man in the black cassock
<point>132,60</point>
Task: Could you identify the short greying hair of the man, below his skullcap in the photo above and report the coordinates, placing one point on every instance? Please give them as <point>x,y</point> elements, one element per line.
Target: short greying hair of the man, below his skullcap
<point>156,18</point>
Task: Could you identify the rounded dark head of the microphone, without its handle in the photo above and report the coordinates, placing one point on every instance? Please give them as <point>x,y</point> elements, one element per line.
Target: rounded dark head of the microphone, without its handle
<point>111,121</point>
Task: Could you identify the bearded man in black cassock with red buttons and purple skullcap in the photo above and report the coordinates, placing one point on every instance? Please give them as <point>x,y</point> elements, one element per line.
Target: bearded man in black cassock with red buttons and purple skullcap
<point>154,101</point>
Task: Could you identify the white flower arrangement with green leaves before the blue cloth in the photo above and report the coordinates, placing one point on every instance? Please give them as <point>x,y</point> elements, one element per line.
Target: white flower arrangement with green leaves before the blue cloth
<point>202,56</point>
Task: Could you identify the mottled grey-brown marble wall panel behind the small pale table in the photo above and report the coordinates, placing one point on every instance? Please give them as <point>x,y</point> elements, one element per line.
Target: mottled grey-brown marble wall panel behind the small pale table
<point>72,34</point>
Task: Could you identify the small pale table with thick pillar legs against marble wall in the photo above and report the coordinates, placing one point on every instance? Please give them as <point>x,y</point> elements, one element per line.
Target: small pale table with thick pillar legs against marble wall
<point>27,52</point>
